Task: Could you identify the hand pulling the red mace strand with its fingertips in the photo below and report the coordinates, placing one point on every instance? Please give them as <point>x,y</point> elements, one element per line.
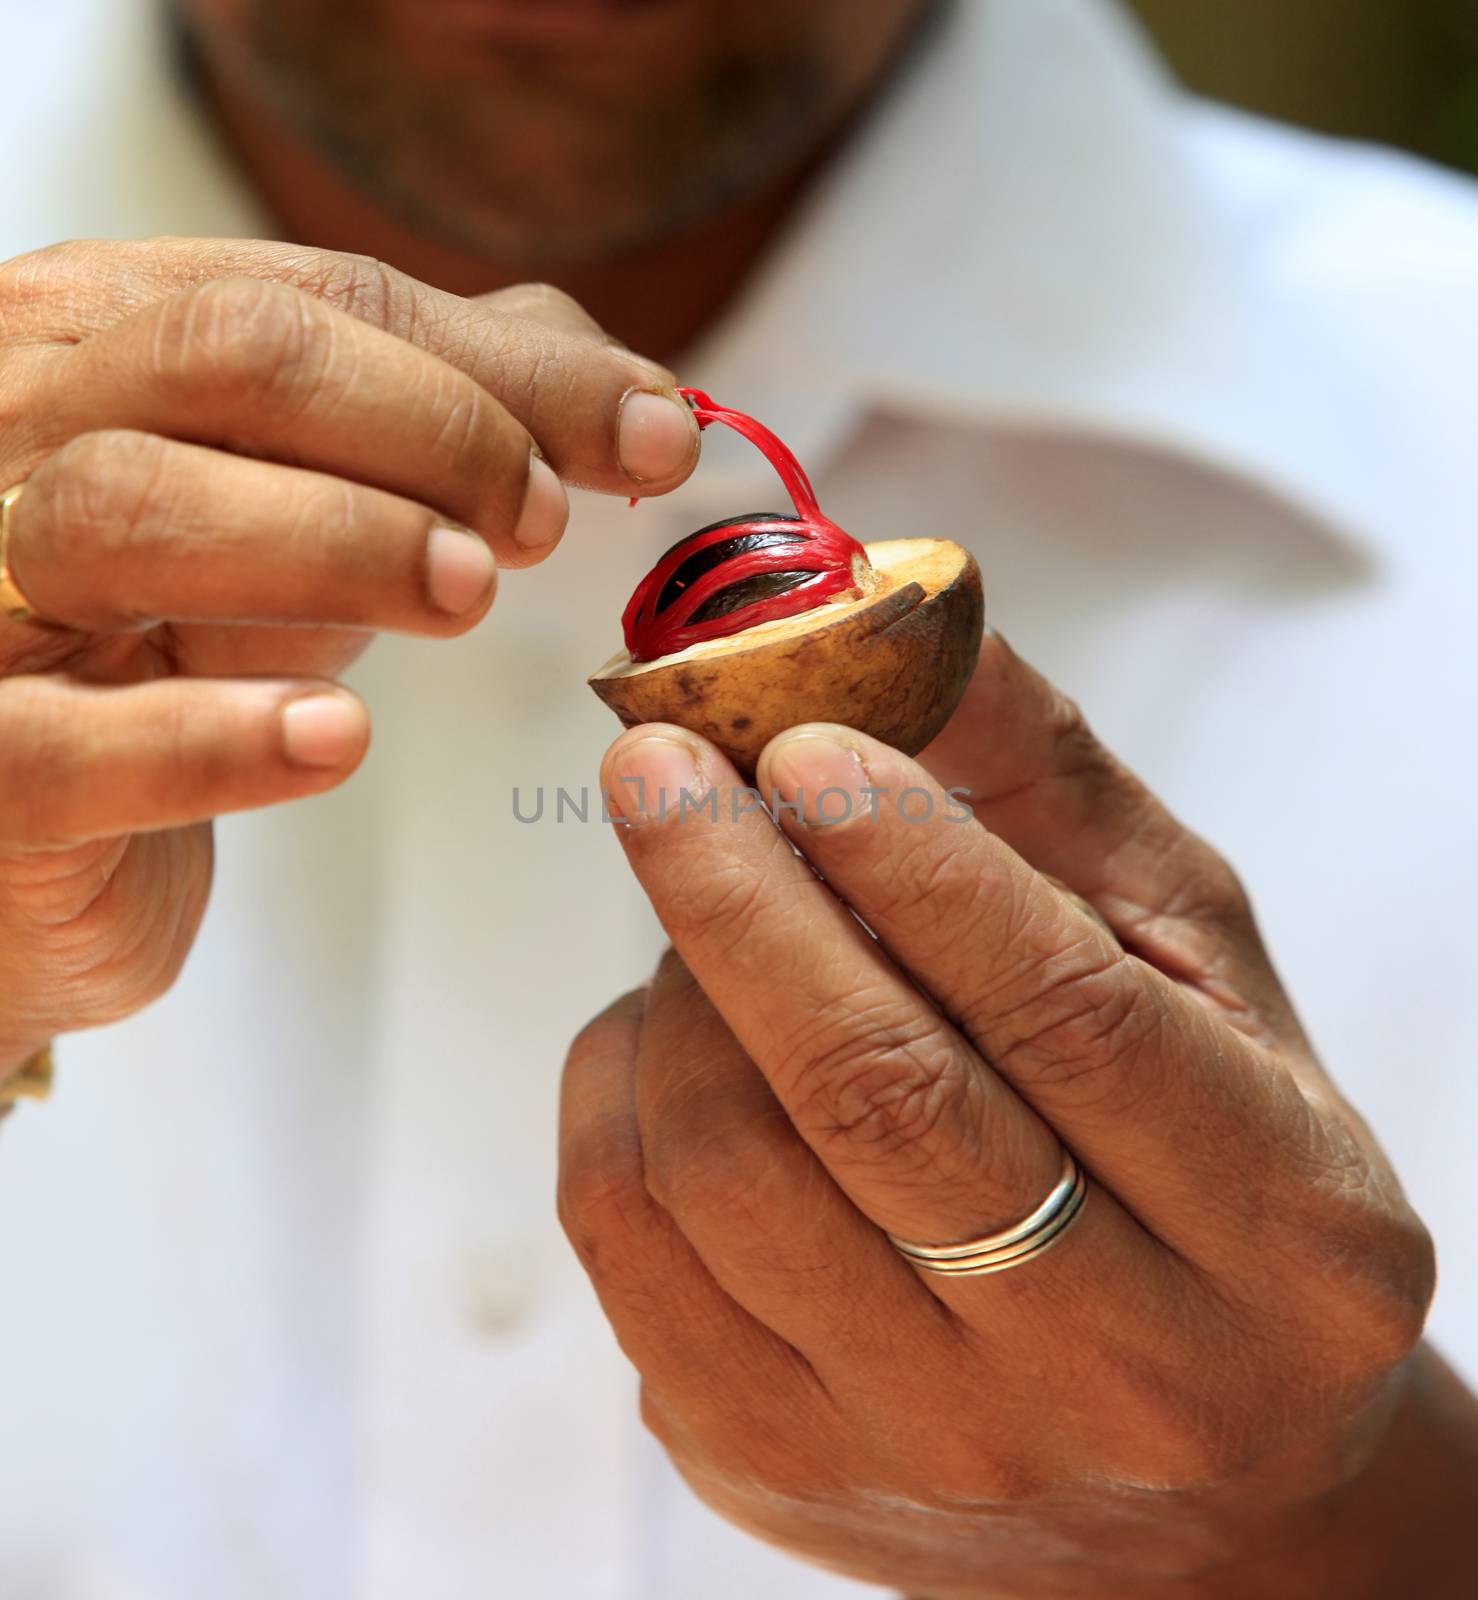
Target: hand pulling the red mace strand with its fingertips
<point>241,460</point>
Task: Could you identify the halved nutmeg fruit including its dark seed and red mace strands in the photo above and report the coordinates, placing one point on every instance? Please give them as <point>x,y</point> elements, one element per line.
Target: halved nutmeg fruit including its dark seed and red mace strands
<point>764,622</point>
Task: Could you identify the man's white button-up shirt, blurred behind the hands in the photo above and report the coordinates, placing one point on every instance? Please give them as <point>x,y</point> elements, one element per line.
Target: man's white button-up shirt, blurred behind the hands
<point>287,1306</point>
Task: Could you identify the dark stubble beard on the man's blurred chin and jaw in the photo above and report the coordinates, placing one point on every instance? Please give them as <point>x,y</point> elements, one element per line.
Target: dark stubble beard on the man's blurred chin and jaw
<point>514,159</point>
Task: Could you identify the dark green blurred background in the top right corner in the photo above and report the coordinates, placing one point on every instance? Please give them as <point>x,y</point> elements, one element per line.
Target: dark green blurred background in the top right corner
<point>1402,71</point>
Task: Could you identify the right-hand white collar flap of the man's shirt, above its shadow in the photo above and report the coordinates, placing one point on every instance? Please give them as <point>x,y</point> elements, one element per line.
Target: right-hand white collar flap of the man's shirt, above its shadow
<point>1023,236</point>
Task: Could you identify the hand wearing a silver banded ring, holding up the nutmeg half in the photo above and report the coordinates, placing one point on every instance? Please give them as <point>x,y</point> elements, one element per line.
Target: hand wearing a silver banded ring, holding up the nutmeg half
<point>1204,1388</point>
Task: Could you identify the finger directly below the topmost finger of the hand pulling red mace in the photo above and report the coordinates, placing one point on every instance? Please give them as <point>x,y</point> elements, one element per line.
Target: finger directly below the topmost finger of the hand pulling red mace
<point>271,372</point>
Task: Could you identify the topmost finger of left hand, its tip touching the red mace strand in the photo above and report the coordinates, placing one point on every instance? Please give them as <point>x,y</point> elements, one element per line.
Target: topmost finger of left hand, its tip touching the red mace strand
<point>605,418</point>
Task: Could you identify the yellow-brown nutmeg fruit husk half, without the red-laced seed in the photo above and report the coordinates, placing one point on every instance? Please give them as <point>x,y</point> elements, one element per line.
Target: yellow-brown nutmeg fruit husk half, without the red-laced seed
<point>892,662</point>
